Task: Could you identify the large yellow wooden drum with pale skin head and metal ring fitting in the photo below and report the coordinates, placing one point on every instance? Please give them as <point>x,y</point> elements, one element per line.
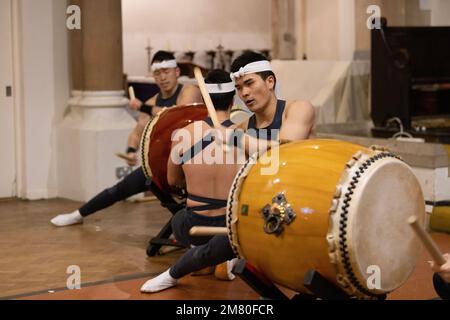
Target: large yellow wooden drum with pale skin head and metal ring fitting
<point>335,207</point>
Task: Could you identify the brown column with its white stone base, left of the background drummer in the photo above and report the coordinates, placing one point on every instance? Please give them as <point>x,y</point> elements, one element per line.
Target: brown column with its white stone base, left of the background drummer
<point>97,123</point>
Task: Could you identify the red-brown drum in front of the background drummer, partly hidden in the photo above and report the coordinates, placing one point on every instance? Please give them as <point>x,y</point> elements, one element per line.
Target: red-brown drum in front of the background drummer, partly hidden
<point>156,140</point>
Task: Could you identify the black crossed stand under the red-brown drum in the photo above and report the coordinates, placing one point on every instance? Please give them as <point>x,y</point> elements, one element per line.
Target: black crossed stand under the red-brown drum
<point>162,239</point>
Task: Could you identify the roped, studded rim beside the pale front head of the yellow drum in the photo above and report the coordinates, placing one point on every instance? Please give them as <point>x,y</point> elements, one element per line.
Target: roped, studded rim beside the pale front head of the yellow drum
<point>338,215</point>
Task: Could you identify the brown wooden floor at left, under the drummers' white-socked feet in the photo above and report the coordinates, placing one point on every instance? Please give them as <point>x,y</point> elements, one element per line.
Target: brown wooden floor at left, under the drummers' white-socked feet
<point>35,255</point>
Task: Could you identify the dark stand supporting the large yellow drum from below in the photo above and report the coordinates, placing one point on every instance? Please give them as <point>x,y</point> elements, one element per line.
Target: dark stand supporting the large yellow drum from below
<point>320,287</point>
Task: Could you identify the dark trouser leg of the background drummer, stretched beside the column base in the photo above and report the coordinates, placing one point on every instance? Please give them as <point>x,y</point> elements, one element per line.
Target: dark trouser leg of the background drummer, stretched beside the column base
<point>132,184</point>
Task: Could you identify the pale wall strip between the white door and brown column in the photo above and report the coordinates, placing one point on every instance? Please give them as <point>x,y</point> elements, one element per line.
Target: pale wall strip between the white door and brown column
<point>42,98</point>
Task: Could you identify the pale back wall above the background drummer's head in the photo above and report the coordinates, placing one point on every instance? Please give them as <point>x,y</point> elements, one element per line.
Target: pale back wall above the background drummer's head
<point>198,25</point>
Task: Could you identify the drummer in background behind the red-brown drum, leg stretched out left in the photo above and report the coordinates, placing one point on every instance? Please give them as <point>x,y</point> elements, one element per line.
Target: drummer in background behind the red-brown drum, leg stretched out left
<point>166,73</point>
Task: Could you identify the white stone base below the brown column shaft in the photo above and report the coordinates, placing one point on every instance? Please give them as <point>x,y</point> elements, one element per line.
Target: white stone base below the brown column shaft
<point>96,127</point>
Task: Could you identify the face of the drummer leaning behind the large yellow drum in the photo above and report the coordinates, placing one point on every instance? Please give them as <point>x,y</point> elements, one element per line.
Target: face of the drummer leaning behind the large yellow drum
<point>254,91</point>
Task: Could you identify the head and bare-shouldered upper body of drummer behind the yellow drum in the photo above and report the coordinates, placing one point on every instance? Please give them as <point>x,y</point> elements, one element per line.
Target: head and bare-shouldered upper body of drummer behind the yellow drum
<point>255,84</point>
